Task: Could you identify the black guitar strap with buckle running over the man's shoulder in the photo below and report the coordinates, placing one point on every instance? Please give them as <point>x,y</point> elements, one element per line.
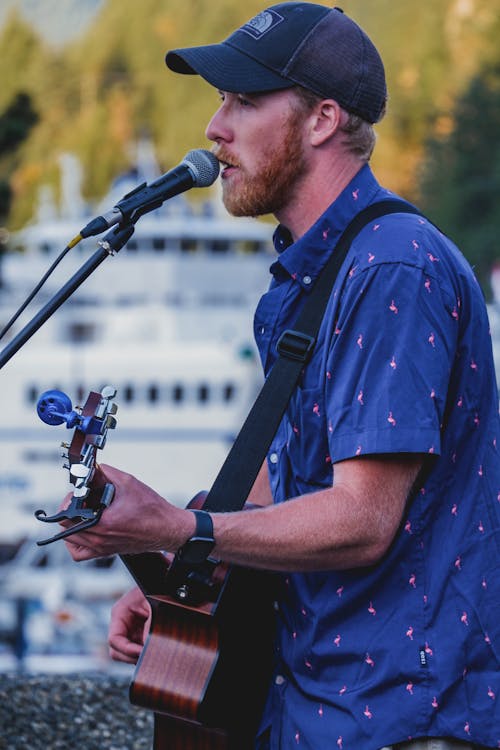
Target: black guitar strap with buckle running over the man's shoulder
<point>239,471</point>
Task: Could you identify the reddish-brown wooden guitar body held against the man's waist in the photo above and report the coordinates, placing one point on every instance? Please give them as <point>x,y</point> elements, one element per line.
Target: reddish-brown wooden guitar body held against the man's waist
<point>205,669</point>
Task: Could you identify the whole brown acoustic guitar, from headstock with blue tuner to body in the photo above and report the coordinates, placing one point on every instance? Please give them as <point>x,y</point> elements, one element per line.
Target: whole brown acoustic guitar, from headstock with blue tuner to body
<point>206,664</point>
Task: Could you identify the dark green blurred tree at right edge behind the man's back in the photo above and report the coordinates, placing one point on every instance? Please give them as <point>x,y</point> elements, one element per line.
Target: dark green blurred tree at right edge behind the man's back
<point>461,175</point>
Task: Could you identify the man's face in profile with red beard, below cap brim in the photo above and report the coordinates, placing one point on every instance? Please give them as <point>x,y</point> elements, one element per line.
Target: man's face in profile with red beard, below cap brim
<point>258,139</point>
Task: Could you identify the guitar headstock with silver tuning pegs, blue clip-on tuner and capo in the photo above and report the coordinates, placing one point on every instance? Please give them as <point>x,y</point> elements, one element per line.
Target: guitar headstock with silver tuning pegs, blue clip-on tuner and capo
<point>91,424</point>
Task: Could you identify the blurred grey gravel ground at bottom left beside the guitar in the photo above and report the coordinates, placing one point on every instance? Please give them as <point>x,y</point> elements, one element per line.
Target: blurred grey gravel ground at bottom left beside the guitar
<point>71,712</point>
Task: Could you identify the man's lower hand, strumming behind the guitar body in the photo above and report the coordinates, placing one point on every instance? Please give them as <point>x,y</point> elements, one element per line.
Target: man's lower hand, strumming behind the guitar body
<point>130,621</point>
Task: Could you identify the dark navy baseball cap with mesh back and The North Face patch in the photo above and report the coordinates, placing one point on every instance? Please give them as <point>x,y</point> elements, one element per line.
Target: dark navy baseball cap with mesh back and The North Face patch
<point>294,43</point>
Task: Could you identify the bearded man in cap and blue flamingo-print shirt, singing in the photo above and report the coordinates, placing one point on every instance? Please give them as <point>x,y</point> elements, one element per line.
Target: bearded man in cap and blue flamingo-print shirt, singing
<point>380,495</point>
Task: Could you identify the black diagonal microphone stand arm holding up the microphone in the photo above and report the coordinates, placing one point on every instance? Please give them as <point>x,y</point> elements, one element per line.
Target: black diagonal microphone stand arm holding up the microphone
<point>111,244</point>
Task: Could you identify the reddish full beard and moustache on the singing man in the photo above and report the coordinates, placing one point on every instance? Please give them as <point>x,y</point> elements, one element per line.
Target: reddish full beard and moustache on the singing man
<point>269,187</point>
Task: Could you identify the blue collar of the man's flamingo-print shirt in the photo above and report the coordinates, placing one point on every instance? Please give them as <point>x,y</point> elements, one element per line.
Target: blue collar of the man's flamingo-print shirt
<point>304,259</point>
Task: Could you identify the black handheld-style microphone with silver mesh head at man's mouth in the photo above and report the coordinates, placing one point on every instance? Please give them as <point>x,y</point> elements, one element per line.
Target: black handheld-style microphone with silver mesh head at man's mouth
<point>199,168</point>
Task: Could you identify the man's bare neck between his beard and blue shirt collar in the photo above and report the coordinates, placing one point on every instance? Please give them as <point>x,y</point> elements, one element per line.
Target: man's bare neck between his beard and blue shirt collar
<point>314,193</point>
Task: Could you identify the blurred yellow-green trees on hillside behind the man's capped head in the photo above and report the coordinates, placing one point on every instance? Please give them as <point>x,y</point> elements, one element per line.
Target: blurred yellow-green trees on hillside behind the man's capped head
<point>99,93</point>
